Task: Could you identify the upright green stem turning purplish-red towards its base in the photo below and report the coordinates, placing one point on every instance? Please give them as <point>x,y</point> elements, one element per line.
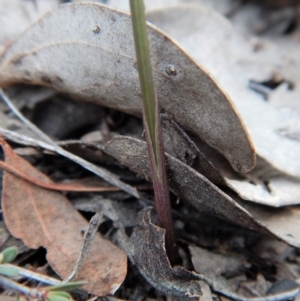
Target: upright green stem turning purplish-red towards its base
<point>153,128</point>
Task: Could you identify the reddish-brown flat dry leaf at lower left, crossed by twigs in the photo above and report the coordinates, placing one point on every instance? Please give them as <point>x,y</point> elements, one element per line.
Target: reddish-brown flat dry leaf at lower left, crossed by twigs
<point>45,218</point>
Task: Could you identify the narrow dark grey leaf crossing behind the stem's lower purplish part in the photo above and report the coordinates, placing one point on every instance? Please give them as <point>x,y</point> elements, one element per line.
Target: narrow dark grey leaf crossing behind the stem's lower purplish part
<point>184,181</point>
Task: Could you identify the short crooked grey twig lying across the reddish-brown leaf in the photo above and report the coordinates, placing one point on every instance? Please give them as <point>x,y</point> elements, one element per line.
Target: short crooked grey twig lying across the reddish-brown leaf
<point>86,245</point>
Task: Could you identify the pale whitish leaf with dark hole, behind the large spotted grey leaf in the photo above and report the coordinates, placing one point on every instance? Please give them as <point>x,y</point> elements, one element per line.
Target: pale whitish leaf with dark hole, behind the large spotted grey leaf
<point>233,60</point>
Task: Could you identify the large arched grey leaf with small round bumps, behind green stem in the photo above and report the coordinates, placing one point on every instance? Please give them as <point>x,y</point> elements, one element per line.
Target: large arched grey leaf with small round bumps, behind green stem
<point>88,50</point>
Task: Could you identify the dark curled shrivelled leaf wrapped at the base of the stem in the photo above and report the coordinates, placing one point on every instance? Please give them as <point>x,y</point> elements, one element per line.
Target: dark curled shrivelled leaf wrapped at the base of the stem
<point>146,249</point>
